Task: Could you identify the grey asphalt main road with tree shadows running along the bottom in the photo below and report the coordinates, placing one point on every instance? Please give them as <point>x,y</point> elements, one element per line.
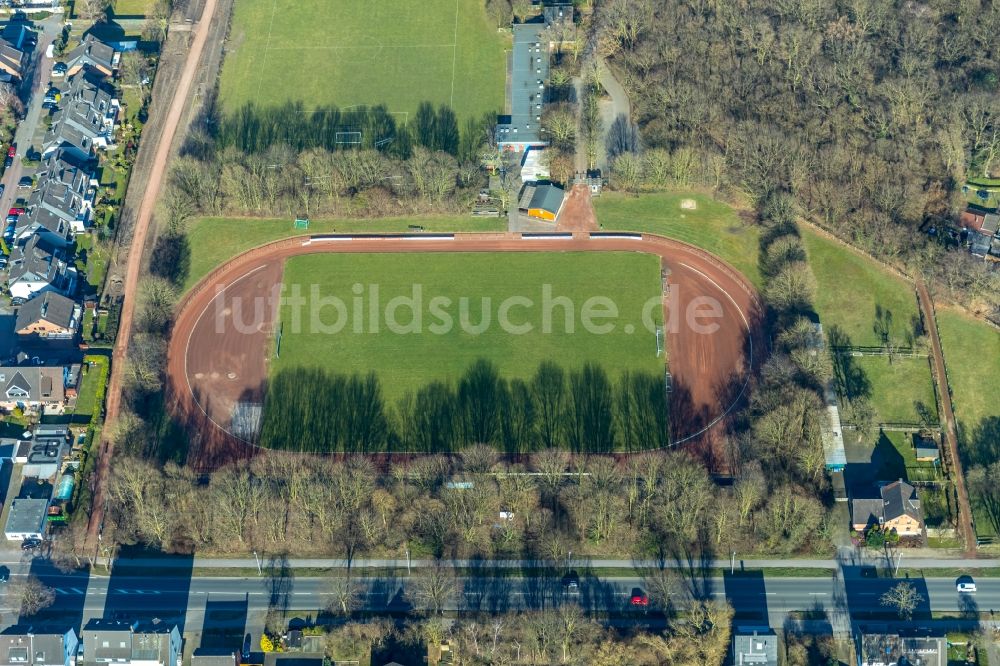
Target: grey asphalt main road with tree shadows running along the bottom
<point>748,594</point>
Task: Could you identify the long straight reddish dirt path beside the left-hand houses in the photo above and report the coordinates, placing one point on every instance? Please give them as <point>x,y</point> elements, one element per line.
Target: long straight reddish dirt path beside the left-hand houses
<point>135,258</point>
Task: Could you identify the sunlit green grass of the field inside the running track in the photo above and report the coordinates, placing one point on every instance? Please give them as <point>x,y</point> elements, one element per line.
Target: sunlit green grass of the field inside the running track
<point>409,361</point>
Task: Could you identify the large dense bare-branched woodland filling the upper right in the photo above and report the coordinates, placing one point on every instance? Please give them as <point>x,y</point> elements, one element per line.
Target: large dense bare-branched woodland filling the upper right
<point>871,114</point>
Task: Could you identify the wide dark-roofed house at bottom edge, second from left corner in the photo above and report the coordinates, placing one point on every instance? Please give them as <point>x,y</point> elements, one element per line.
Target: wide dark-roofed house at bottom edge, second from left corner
<point>157,644</point>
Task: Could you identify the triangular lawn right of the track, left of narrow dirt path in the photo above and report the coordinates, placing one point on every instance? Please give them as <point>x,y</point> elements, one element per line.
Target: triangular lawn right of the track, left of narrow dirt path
<point>851,288</point>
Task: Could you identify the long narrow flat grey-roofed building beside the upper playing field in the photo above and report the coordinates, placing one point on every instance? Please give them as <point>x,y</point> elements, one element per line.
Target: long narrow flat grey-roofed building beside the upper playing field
<point>522,128</point>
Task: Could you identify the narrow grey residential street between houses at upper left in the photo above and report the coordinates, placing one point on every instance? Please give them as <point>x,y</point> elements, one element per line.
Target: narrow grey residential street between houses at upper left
<point>40,70</point>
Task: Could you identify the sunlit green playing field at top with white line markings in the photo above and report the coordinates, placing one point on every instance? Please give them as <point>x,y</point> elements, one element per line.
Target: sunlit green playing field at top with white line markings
<point>365,52</point>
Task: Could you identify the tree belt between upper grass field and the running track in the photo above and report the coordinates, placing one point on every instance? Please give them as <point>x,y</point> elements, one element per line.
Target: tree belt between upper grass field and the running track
<point>281,161</point>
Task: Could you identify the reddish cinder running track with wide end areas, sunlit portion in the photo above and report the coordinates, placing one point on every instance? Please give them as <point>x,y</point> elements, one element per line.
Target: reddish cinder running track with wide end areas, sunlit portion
<point>212,364</point>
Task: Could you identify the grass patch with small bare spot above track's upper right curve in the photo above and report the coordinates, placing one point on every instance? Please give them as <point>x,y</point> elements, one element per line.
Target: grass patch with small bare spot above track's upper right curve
<point>713,225</point>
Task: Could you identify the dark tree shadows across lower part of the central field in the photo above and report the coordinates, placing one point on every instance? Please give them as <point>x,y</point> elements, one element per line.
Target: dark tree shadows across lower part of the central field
<point>310,410</point>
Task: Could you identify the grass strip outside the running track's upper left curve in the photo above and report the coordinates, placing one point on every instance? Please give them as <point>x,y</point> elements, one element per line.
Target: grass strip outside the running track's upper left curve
<point>214,240</point>
